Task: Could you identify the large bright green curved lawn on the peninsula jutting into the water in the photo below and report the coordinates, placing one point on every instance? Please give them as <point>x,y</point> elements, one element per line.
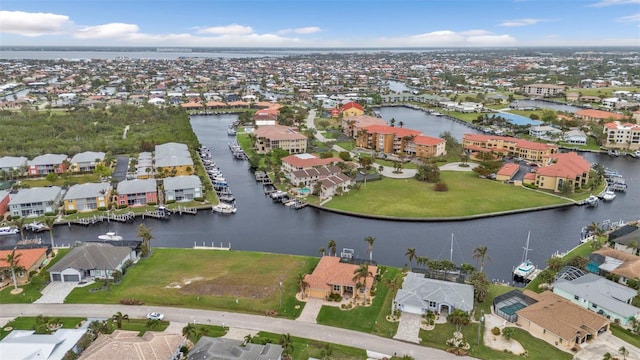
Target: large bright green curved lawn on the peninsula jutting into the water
<point>468,195</point>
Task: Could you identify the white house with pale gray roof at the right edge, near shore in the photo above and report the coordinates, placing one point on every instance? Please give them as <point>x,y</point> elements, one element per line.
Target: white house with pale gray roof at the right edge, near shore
<point>600,295</point>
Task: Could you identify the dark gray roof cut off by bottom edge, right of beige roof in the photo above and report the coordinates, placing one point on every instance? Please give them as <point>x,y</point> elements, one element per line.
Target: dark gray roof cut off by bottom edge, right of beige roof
<point>210,348</point>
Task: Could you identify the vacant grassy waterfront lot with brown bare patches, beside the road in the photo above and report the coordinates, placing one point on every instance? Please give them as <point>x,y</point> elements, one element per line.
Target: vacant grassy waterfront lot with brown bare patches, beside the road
<point>206,279</point>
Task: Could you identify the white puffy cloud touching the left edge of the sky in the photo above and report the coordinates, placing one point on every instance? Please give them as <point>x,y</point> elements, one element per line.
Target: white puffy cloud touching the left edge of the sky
<point>33,24</point>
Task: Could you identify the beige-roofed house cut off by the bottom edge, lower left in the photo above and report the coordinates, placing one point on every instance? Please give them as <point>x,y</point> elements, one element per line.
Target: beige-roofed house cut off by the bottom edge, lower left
<point>123,344</point>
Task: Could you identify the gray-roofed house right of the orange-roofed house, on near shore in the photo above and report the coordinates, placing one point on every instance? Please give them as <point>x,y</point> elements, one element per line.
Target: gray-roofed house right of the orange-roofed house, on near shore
<point>420,294</point>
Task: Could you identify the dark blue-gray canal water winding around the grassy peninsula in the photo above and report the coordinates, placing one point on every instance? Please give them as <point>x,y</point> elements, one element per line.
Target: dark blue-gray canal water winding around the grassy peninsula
<point>264,226</point>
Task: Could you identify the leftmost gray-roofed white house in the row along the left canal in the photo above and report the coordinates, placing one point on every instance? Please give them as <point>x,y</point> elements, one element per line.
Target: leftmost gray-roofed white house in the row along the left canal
<point>35,201</point>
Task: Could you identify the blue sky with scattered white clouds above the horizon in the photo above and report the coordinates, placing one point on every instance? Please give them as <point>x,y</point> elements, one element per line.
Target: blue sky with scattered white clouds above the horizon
<point>320,23</point>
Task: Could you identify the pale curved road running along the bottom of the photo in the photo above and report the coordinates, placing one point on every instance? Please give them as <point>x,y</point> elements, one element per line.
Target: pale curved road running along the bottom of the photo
<point>236,320</point>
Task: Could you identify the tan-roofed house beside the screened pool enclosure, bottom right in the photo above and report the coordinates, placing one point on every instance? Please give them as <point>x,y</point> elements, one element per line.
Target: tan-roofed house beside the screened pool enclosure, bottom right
<point>560,322</point>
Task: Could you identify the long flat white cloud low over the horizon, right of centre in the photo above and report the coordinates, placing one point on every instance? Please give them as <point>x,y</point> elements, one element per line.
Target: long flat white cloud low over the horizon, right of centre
<point>449,38</point>
